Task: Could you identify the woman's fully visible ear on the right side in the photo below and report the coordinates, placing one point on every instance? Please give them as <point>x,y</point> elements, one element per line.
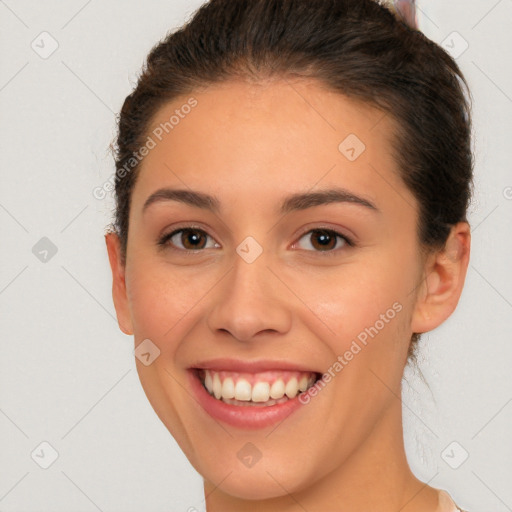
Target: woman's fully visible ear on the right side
<point>443,280</point>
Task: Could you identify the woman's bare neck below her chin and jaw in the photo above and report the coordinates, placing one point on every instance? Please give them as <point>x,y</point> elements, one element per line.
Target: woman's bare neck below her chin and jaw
<point>376,476</point>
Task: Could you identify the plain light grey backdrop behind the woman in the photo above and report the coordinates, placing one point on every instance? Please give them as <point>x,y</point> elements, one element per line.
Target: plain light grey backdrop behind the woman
<point>67,373</point>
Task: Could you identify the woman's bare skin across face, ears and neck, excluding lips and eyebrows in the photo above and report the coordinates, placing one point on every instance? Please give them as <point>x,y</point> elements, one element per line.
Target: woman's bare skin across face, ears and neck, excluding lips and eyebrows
<point>251,145</point>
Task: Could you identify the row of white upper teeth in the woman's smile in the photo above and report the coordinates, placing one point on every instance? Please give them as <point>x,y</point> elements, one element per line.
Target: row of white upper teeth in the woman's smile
<point>258,387</point>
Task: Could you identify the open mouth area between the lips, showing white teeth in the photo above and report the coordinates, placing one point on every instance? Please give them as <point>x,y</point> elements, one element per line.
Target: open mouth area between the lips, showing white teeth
<point>261,389</point>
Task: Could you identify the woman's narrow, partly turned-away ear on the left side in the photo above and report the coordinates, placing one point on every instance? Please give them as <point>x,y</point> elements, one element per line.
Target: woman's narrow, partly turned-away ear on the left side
<point>118,283</point>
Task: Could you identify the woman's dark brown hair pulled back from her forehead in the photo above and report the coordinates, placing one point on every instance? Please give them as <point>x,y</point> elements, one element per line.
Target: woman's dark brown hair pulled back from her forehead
<point>356,47</point>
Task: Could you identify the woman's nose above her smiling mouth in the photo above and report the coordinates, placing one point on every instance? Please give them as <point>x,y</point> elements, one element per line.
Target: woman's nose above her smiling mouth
<point>250,302</point>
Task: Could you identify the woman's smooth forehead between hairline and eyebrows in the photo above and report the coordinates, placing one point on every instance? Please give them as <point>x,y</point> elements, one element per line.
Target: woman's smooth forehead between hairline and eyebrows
<point>268,138</point>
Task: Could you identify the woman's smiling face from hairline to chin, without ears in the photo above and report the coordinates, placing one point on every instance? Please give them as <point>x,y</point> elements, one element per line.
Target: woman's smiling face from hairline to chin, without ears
<point>303,263</point>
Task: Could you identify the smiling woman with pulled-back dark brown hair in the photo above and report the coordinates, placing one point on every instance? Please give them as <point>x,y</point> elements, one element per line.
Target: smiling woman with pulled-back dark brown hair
<point>283,247</point>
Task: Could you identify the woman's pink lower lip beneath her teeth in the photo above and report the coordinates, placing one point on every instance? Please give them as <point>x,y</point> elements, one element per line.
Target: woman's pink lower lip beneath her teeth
<point>247,417</point>
